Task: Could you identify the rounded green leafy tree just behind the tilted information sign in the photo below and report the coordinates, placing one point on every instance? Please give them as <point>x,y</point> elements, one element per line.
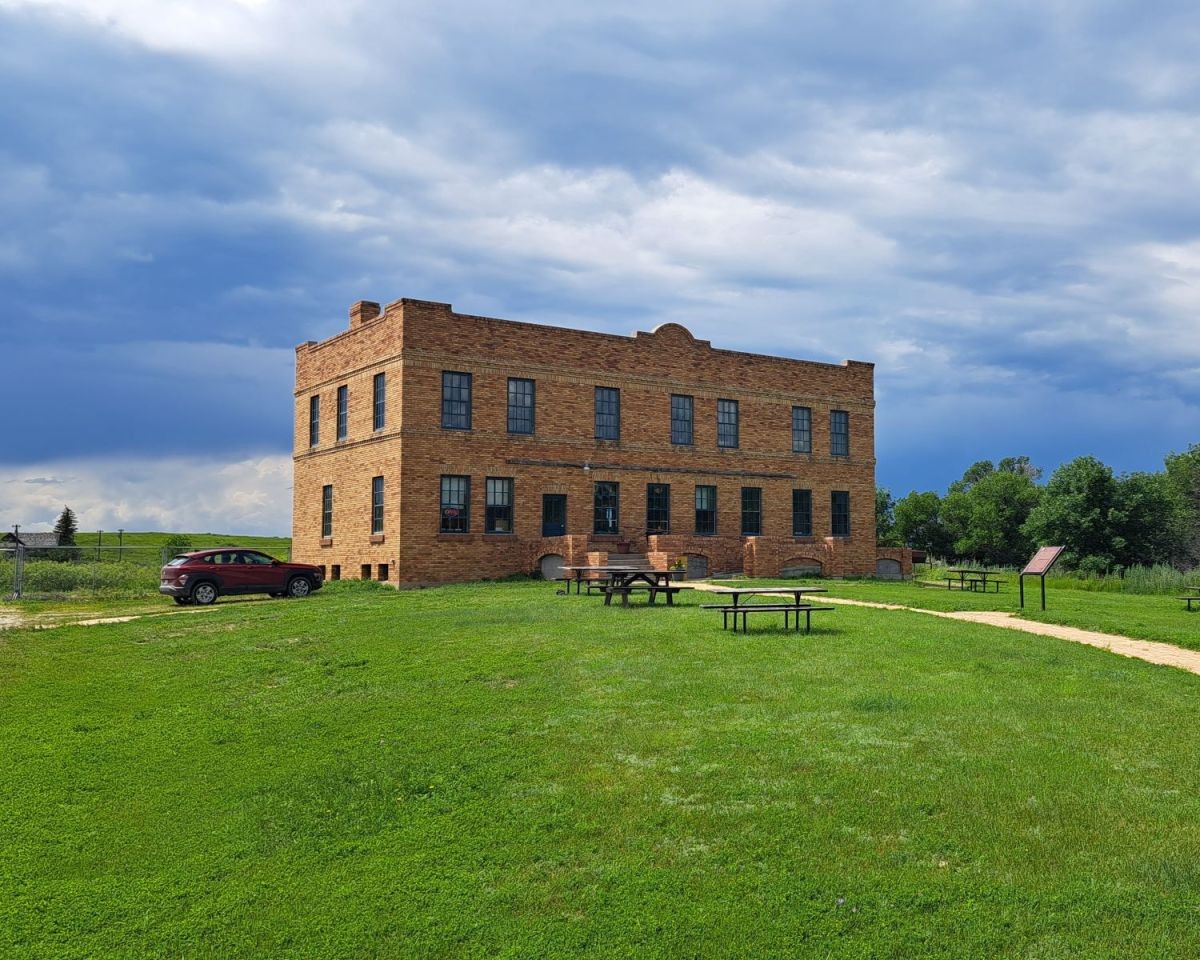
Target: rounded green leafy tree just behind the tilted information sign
<point>1081,512</point>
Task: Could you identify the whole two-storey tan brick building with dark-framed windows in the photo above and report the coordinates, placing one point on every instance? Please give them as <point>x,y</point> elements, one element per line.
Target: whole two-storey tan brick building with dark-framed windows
<point>436,447</point>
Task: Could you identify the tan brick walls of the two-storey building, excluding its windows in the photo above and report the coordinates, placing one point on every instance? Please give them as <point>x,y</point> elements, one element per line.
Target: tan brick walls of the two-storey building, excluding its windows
<point>416,341</point>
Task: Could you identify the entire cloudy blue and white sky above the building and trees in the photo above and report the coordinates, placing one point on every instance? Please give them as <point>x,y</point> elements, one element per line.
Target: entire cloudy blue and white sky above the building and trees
<point>997,203</point>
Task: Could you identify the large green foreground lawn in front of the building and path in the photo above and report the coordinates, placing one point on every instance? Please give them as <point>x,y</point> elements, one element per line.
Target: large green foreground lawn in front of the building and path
<point>494,771</point>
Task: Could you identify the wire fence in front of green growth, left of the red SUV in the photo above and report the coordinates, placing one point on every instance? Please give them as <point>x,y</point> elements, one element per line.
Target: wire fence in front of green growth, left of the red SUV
<point>82,572</point>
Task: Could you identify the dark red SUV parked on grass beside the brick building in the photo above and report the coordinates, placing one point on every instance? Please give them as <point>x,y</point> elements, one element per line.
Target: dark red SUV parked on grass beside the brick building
<point>201,578</point>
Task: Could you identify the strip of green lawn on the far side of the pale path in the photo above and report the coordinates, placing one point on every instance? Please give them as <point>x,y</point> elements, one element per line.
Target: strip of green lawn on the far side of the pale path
<point>1142,616</point>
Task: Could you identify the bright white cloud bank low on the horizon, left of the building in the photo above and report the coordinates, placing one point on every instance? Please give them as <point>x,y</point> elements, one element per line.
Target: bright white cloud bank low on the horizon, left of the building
<point>189,495</point>
